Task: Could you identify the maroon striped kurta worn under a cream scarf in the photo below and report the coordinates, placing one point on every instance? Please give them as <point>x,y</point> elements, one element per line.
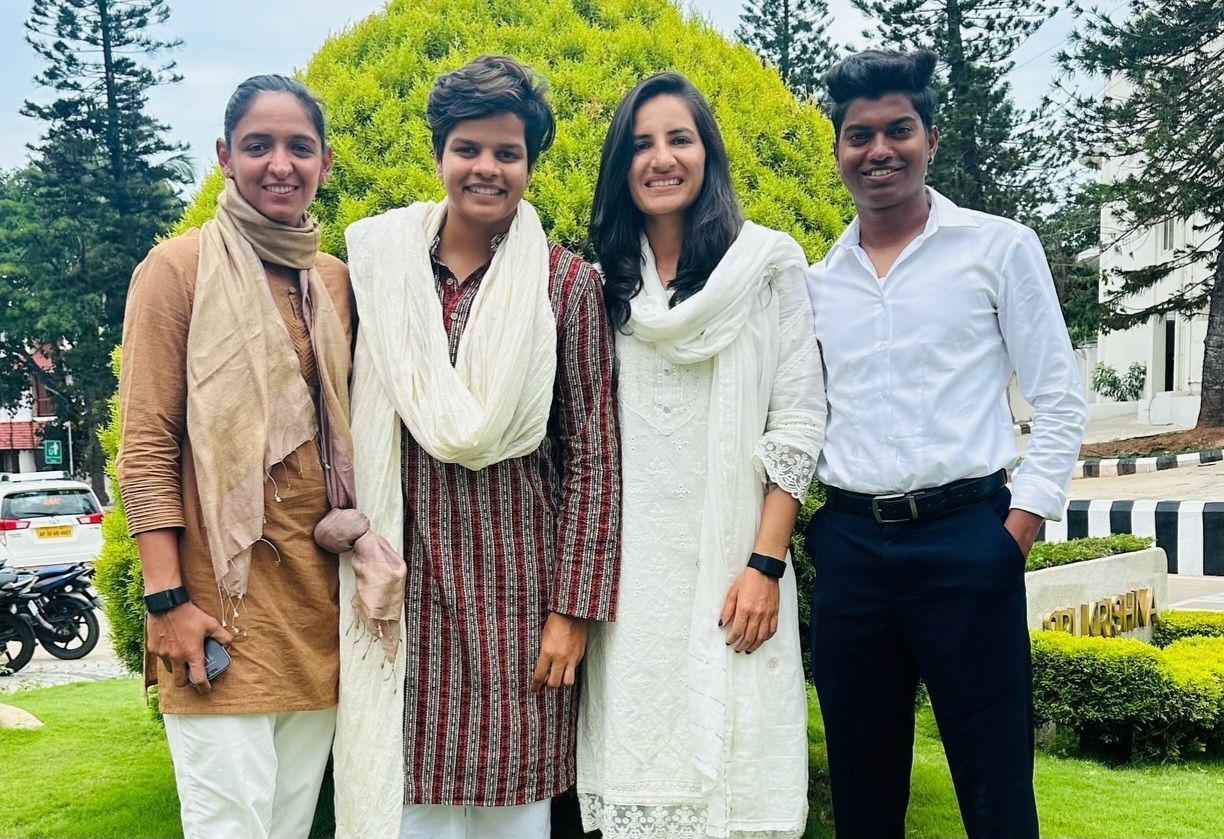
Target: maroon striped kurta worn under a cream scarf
<point>493,553</point>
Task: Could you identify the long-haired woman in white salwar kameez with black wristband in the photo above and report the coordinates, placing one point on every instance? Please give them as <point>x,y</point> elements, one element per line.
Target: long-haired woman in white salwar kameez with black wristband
<point>693,718</point>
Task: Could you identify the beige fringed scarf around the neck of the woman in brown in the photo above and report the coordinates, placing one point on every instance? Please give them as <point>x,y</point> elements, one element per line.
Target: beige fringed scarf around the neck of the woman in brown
<point>249,406</point>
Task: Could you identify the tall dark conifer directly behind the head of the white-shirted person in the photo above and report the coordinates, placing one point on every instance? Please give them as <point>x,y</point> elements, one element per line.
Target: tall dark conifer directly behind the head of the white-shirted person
<point>992,155</point>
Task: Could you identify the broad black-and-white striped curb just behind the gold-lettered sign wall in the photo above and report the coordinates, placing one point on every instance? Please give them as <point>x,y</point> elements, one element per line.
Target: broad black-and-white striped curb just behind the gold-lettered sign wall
<point>1190,532</point>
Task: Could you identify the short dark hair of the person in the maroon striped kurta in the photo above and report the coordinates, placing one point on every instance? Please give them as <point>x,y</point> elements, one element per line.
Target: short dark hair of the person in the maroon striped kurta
<point>489,86</point>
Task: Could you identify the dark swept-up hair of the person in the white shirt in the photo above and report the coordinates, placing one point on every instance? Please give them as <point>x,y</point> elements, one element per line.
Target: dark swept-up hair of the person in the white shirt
<point>873,74</point>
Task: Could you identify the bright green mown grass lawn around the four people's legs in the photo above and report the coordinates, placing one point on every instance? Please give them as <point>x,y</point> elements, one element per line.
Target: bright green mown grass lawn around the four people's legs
<point>101,769</point>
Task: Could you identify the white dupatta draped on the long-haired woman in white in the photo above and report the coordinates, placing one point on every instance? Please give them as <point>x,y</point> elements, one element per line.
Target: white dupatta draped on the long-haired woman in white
<point>734,320</point>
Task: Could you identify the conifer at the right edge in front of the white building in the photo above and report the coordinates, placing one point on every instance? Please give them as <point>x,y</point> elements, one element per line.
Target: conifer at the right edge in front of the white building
<point>1160,130</point>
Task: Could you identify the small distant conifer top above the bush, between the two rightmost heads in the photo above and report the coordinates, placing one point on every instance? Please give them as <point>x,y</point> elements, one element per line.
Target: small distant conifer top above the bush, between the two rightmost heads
<point>791,36</point>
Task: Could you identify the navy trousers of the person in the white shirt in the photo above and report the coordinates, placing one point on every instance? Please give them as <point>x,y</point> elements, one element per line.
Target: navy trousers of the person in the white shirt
<point>943,601</point>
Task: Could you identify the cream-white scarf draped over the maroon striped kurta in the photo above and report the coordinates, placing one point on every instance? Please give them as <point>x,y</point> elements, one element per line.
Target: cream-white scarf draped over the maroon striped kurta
<point>491,406</point>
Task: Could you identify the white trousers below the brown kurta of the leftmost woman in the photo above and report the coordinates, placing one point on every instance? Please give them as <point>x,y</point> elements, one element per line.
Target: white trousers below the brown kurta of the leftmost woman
<point>249,776</point>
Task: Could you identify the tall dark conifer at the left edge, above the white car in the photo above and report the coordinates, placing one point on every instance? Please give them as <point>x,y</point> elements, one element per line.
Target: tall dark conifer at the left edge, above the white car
<point>99,192</point>
